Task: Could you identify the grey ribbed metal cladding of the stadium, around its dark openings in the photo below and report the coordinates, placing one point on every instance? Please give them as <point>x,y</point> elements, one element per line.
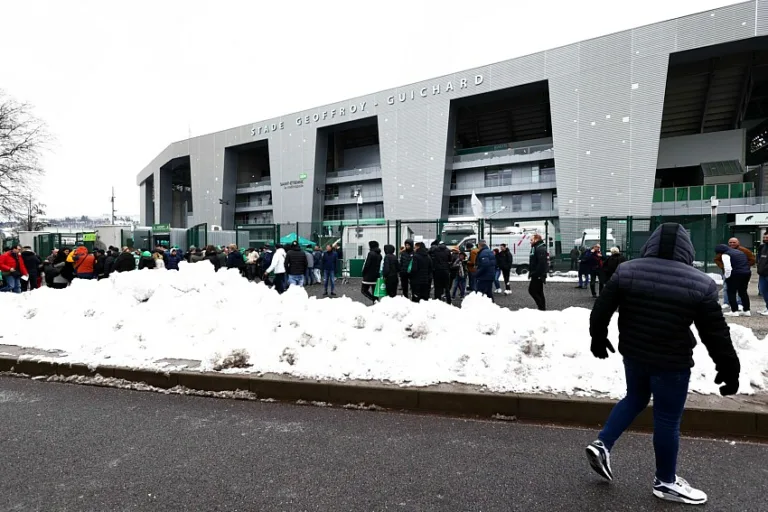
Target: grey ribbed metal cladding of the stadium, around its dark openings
<point>606,98</point>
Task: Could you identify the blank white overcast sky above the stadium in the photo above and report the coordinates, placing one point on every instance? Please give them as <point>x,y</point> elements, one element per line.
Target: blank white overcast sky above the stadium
<point>118,81</point>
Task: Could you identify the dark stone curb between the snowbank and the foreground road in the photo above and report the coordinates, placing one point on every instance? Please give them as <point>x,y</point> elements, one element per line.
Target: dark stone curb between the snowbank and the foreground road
<point>454,400</point>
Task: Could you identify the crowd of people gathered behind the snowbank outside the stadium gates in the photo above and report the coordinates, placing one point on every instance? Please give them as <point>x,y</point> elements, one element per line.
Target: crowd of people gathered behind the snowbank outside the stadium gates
<point>415,271</point>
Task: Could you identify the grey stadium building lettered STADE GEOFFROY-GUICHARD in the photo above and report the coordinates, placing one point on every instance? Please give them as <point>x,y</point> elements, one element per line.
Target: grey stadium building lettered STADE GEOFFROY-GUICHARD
<point>654,120</point>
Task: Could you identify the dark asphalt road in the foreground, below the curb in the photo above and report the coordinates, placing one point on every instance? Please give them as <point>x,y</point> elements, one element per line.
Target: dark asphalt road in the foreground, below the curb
<point>82,448</point>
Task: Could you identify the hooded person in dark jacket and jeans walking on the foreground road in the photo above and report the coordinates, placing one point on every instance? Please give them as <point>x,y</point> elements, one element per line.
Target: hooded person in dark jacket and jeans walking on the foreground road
<point>659,296</point>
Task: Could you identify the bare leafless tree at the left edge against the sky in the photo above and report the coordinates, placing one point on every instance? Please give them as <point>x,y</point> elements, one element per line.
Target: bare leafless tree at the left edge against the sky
<point>22,138</point>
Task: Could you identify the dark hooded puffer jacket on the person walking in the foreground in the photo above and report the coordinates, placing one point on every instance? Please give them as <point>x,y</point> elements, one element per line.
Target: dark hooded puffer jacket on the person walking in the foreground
<point>659,296</point>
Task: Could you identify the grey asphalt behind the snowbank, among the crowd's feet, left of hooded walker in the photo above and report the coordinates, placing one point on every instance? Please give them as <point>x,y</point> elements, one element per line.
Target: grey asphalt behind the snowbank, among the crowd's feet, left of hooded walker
<point>559,295</point>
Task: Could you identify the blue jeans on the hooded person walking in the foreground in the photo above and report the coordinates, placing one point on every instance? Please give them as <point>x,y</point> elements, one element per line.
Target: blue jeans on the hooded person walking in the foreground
<point>669,390</point>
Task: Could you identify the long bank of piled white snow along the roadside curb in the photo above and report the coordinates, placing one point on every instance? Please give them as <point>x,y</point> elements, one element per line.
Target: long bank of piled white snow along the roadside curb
<point>138,318</point>
